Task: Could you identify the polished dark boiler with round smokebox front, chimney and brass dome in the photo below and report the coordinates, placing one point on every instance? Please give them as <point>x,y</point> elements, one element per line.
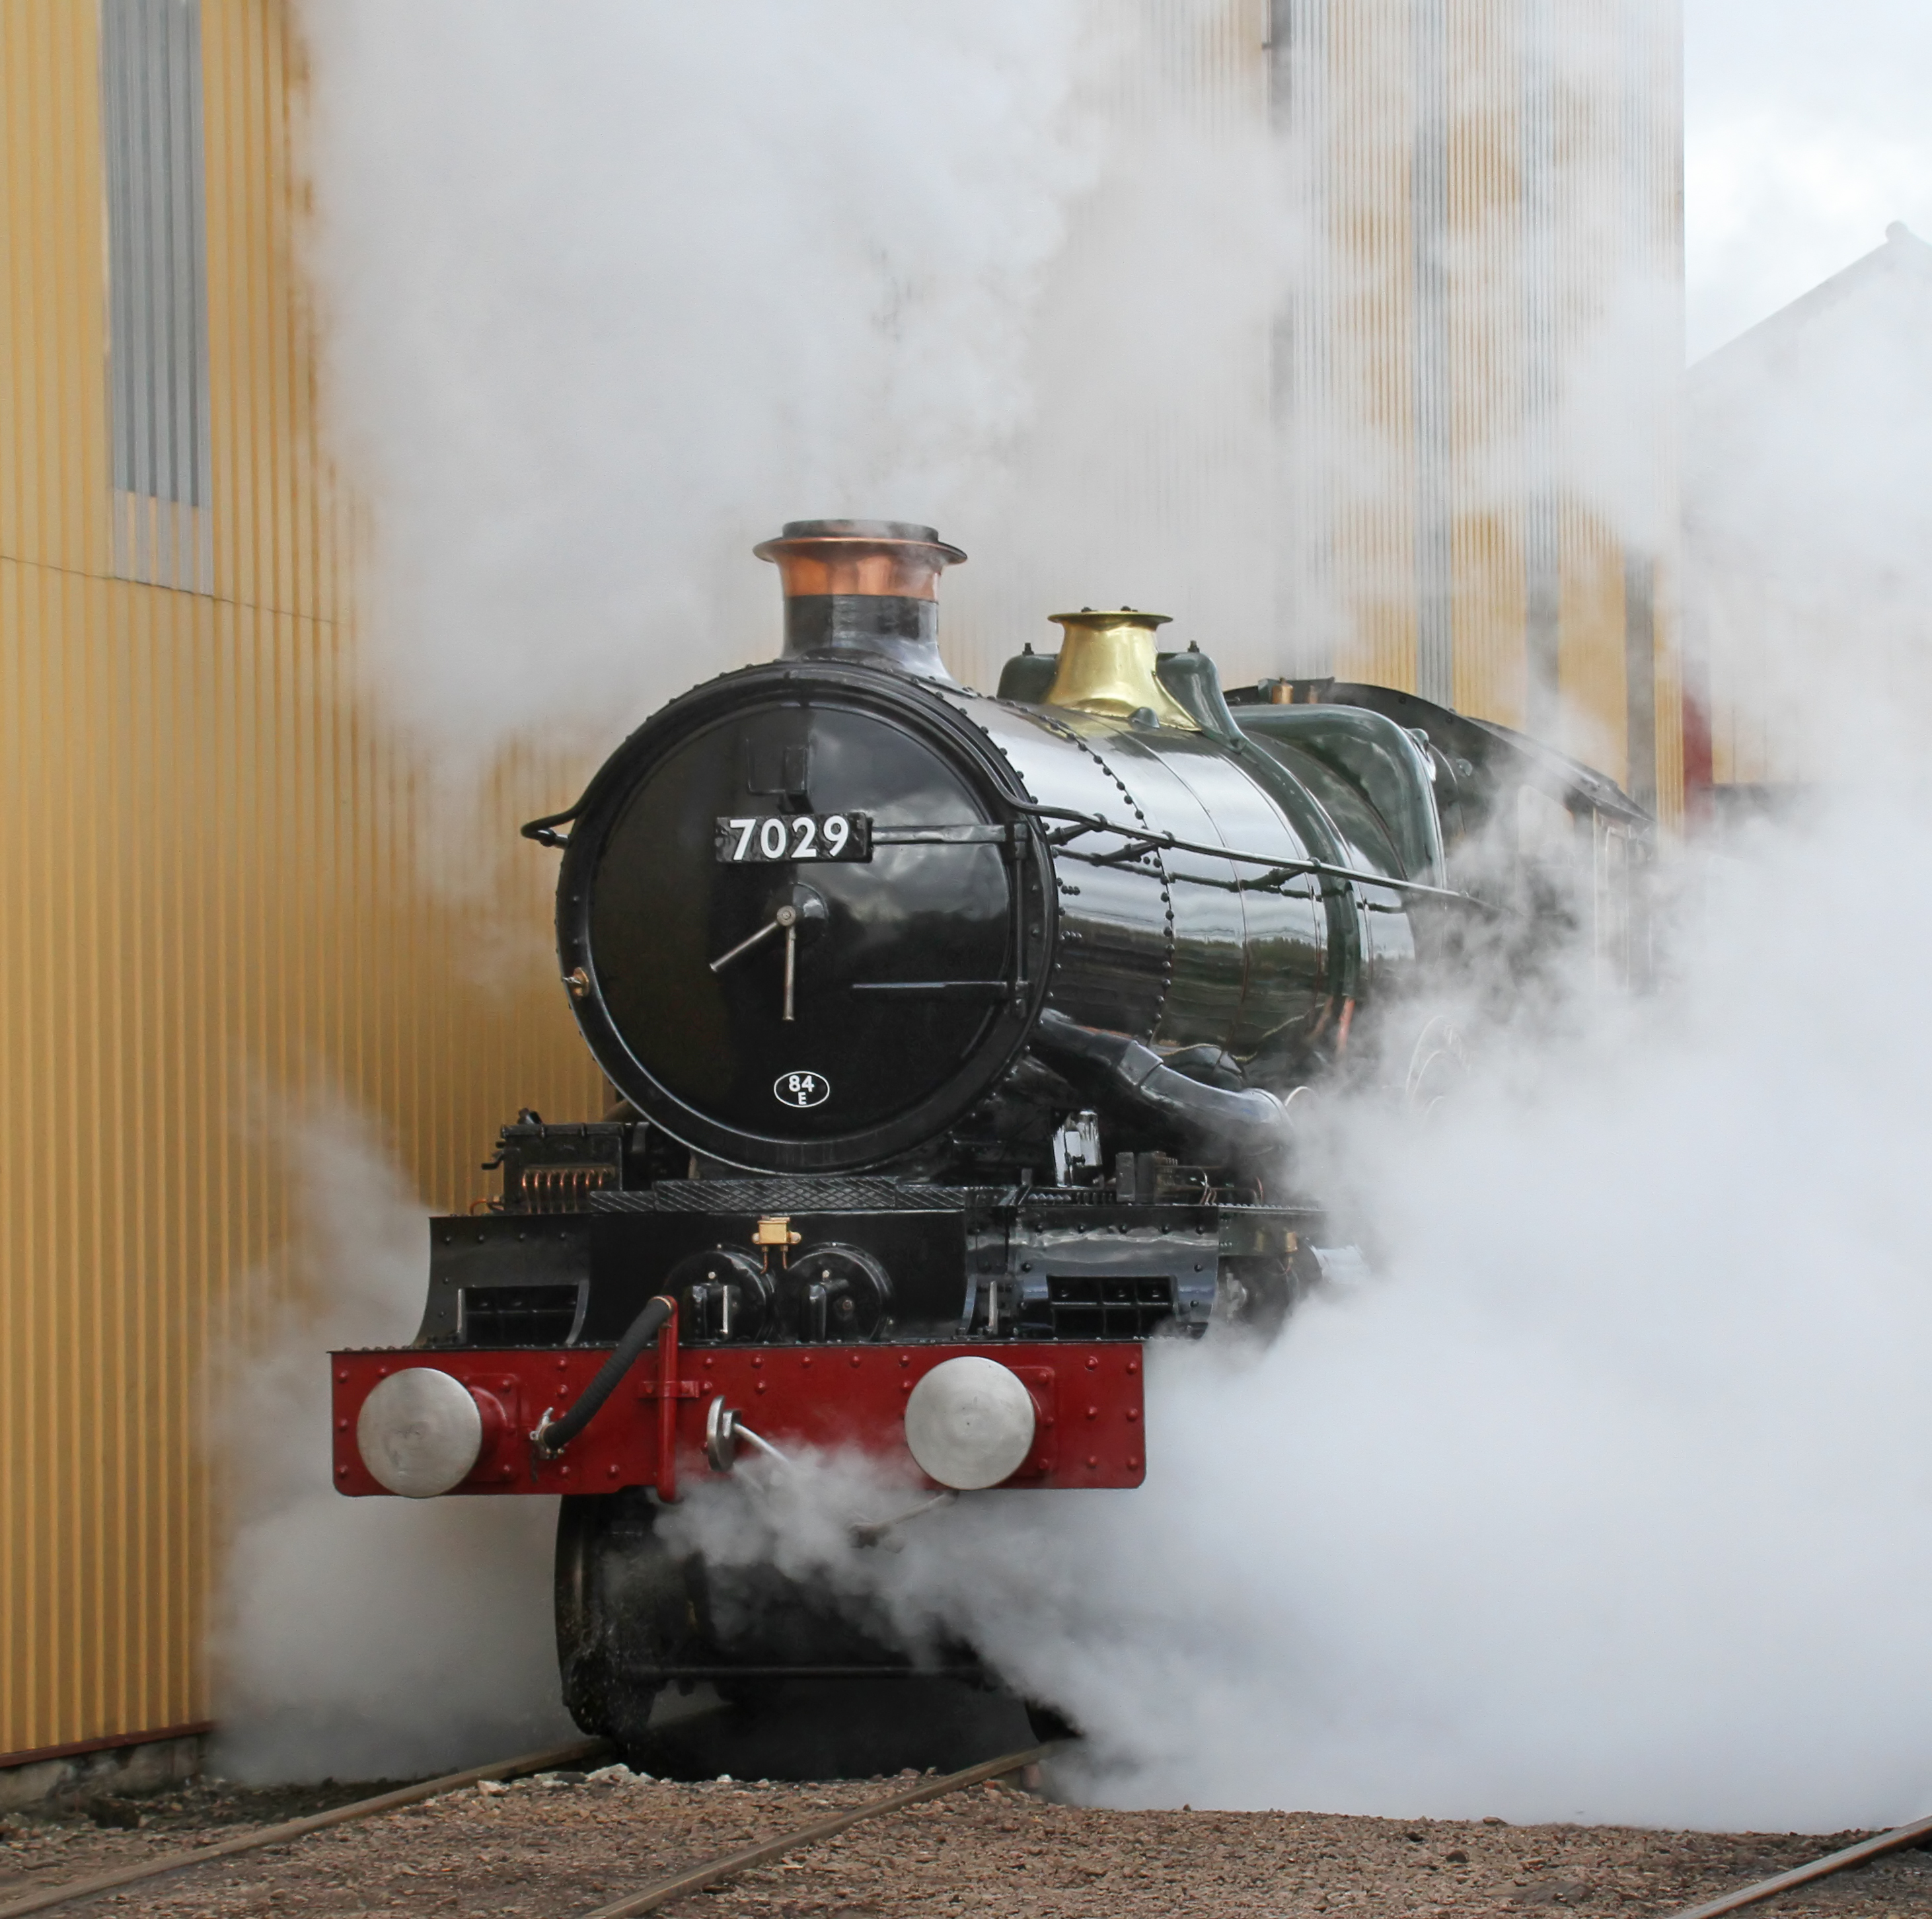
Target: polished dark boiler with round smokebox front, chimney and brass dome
<point>818,913</point>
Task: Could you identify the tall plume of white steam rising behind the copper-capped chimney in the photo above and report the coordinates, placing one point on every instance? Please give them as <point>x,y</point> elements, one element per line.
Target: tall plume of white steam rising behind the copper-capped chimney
<point>615,291</point>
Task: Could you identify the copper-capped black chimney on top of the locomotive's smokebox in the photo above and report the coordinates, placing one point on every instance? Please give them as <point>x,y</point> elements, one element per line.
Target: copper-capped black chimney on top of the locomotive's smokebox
<point>863,590</point>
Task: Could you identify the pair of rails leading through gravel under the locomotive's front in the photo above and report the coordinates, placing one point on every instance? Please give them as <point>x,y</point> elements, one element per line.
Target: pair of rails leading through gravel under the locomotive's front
<point>644,1901</point>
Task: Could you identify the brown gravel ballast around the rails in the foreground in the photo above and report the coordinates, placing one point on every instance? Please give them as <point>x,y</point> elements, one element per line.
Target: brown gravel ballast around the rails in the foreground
<point>567,1845</point>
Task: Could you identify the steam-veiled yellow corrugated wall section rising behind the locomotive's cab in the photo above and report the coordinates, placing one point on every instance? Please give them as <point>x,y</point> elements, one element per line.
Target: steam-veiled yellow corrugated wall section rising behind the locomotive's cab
<point>1548,140</point>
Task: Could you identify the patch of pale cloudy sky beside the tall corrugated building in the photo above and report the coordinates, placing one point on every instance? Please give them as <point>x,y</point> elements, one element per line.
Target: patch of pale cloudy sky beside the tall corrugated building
<point>1807,134</point>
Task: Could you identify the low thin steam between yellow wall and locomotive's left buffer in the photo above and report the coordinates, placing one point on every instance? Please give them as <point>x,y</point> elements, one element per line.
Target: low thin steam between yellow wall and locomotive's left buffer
<point>364,1638</point>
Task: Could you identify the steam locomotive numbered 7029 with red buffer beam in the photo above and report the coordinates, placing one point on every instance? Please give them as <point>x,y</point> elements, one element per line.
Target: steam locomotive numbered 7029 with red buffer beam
<point>961,1043</point>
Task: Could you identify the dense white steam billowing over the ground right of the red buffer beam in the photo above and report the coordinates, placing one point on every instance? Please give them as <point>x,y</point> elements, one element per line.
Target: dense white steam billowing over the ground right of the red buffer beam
<point>1608,1499</point>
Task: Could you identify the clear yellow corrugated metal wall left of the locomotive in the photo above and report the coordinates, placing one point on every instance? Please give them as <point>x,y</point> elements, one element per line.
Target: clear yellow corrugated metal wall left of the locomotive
<point>217,909</point>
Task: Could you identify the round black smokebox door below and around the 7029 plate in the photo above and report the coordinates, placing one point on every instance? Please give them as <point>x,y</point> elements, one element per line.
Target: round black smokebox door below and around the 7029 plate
<point>664,909</point>
